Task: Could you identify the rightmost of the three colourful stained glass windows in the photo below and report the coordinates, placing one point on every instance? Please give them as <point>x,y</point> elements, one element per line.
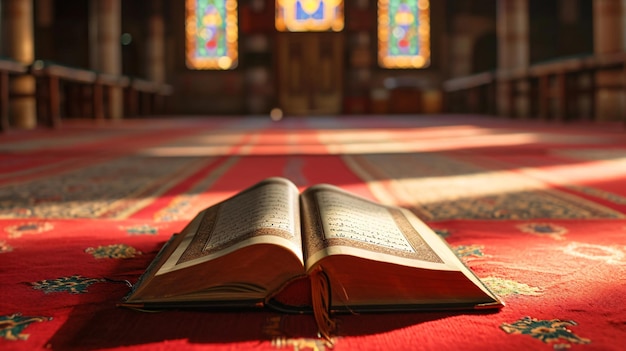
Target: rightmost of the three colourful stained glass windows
<point>403,33</point>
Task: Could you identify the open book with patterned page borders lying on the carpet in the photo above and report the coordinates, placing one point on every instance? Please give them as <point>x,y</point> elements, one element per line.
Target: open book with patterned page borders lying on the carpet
<point>271,246</point>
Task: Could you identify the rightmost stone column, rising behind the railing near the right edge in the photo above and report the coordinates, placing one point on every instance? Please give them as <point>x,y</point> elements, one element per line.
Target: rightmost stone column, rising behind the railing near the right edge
<point>608,38</point>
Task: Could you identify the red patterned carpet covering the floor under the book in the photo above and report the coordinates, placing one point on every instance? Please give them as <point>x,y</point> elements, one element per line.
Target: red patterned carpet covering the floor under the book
<point>537,210</point>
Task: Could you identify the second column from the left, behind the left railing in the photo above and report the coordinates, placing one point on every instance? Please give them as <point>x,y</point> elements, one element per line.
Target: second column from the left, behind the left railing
<point>105,47</point>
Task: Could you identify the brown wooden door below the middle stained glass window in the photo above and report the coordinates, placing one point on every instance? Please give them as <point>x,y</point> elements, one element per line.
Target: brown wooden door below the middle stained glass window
<point>310,73</point>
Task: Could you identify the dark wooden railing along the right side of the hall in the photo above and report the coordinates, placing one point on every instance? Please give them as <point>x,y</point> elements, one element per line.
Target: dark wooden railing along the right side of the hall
<point>559,89</point>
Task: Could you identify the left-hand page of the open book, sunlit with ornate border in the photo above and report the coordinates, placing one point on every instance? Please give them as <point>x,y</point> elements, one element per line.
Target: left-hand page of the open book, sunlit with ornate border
<point>265,213</point>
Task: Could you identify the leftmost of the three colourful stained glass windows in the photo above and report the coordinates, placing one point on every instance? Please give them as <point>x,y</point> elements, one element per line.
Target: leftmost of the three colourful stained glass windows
<point>212,34</point>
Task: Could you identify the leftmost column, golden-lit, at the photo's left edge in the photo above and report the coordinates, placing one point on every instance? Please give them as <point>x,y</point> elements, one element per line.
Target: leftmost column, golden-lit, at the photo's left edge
<point>20,46</point>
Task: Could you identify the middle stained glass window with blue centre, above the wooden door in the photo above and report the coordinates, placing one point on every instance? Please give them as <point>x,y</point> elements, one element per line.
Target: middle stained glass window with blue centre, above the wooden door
<point>309,15</point>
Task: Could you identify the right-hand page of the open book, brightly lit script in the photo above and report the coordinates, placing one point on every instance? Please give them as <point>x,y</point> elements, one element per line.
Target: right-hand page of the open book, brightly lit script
<point>341,223</point>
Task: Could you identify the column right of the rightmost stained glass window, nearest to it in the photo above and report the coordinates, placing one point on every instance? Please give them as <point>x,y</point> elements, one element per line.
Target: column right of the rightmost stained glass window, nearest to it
<point>513,55</point>
